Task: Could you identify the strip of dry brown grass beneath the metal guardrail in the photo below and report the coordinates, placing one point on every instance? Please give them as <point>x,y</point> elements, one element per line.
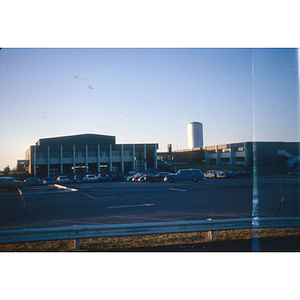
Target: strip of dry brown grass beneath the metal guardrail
<point>127,243</point>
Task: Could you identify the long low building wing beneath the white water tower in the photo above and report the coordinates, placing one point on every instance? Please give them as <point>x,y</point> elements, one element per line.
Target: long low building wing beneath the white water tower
<point>267,154</point>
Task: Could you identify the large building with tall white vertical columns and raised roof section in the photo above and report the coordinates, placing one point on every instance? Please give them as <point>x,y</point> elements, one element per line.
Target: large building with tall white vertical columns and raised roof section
<point>88,153</point>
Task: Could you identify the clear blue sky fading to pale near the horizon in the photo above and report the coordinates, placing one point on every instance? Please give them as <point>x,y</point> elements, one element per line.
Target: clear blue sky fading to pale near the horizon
<point>147,95</point>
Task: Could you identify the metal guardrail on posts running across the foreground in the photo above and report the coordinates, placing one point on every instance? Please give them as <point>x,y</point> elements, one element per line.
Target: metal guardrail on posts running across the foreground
<point>77,232</point>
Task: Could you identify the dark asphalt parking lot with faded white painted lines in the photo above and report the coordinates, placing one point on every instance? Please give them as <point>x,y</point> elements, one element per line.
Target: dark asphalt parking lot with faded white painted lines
<point>128,202</point>
